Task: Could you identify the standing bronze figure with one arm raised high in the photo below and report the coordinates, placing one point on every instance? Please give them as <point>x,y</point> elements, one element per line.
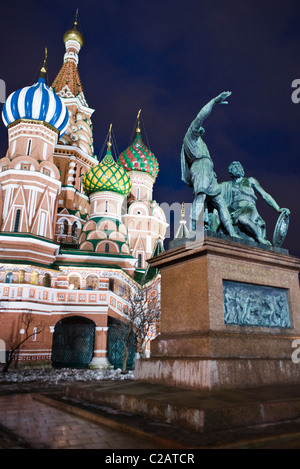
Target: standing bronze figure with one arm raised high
<point>197,168</point>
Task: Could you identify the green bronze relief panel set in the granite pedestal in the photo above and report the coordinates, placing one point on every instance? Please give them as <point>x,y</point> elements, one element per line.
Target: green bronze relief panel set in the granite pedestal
<point>247,304</point>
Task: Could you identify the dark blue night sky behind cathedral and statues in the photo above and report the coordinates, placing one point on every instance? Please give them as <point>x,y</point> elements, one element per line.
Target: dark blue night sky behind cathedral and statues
<point>169,58</point>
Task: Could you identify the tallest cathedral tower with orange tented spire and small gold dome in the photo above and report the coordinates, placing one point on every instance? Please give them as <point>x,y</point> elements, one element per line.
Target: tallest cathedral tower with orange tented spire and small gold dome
<point>74,153</point>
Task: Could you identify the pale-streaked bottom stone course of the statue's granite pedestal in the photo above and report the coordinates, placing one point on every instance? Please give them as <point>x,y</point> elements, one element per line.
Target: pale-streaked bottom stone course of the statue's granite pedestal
<point>217,374</point>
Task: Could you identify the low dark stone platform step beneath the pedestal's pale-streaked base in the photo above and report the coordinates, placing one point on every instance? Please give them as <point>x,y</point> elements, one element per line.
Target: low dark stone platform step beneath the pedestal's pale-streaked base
<point>200,411</point>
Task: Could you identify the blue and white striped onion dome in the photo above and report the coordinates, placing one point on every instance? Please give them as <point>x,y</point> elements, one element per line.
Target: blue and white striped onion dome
<point>36,102</point>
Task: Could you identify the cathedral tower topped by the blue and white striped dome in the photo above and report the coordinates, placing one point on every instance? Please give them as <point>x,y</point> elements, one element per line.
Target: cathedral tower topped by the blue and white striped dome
<point>35,118</point>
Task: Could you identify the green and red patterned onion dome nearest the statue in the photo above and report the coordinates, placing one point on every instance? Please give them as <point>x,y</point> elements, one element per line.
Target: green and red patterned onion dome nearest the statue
<point>137,157</point>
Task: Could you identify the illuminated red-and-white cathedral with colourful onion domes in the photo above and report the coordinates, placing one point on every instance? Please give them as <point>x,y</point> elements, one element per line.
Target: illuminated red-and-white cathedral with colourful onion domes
<point>75,233</point>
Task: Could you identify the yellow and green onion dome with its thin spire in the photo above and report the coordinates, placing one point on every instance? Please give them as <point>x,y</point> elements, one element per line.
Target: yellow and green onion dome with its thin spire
<point>107,176</point>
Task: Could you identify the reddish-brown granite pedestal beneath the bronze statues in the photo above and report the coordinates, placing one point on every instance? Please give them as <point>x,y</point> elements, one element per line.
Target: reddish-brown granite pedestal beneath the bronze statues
<point>199,348</point>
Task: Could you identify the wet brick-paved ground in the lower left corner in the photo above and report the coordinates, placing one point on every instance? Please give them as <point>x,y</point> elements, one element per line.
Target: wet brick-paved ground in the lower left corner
<point>27,423</point>
